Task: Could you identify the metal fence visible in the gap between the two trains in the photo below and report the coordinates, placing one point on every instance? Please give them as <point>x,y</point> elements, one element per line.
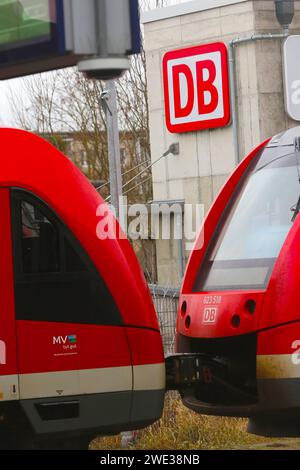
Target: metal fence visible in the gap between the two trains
<point>166,303</point>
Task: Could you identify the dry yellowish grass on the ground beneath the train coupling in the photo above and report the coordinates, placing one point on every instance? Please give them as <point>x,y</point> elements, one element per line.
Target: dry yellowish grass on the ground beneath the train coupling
<point>181,428</point>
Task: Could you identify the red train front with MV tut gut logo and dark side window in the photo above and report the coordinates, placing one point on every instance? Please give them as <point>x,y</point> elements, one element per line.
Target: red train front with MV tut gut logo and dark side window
<point>80,348</point>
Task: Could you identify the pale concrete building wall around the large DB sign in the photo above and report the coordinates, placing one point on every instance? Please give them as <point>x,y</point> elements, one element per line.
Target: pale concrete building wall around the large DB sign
<point>207,158</point>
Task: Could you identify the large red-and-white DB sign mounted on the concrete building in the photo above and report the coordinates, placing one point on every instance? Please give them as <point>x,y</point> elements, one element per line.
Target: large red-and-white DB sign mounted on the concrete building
<point>196,88</point>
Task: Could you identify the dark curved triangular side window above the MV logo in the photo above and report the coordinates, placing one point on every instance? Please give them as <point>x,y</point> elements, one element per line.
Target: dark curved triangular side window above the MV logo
<point>55,279</point>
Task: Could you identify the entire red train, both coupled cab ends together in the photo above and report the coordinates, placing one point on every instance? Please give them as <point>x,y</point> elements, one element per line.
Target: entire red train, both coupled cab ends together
<point>80,348</point>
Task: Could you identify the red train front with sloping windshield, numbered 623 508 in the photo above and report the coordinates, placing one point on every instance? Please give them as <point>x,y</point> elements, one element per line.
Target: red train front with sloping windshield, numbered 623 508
<point>239,312</point>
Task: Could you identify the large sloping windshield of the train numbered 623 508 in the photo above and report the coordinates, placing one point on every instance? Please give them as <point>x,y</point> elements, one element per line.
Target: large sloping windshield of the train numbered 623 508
<point>252,233</point>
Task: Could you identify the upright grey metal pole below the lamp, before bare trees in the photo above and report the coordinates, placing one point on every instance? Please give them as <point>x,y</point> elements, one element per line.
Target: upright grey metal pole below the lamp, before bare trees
<point>113,142</point>
